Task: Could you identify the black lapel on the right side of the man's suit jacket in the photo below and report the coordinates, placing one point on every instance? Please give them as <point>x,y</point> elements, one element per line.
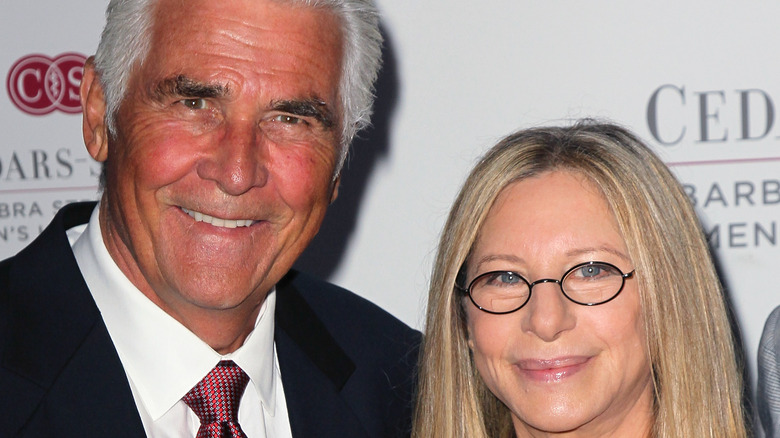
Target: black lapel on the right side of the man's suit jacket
<point>314,369</point>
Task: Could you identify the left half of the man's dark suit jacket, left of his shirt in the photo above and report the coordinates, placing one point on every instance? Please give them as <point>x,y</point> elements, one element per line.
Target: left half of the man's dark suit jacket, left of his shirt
<point>59,356</point>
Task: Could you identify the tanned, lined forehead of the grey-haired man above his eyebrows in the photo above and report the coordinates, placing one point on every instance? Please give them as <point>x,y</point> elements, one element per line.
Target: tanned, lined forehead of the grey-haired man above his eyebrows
<point>288,32</point>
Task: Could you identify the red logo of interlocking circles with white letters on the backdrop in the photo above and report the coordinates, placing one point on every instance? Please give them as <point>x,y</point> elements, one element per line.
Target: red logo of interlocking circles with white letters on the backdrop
<point>39,85</point>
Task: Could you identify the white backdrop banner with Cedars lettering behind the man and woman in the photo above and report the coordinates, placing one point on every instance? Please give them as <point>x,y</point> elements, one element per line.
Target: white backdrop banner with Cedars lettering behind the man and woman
<point>697,80</point>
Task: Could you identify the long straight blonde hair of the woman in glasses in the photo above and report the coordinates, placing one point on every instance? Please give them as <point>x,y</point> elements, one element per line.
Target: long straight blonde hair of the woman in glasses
<point>697,376</point>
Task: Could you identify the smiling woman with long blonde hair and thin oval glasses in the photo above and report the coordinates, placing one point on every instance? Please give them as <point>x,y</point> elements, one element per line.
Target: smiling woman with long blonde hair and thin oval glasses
<point>574,295</point>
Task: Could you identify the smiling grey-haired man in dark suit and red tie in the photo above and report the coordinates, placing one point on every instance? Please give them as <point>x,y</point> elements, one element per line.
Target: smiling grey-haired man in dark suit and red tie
<point>222,126</point>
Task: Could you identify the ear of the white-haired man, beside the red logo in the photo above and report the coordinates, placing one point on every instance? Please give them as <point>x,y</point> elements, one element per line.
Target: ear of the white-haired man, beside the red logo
<point>93,107</point>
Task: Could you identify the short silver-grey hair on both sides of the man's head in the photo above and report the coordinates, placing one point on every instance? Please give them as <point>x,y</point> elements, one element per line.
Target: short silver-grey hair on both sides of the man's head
<point>126,37</point>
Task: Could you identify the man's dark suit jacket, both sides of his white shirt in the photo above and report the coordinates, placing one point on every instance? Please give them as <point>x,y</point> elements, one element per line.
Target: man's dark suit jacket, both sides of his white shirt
<point>347,366</point>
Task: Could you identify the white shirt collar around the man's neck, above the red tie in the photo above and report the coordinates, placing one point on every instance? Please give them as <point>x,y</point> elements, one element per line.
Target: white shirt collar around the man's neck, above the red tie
<point>162,358</point>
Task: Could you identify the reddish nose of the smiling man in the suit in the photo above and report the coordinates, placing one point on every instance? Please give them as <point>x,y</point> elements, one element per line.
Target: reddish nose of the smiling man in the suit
<point>239,159</point>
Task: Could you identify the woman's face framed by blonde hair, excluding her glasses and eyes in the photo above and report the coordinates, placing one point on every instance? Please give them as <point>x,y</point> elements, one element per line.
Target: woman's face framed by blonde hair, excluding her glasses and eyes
<point>557,365</point>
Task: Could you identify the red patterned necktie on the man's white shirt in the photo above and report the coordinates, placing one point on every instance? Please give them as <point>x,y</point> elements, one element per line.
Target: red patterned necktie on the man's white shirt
<point>215,401</point>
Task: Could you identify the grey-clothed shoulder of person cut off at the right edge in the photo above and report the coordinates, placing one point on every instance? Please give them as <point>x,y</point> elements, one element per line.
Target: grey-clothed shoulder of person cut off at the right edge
<point>769,376</point>
